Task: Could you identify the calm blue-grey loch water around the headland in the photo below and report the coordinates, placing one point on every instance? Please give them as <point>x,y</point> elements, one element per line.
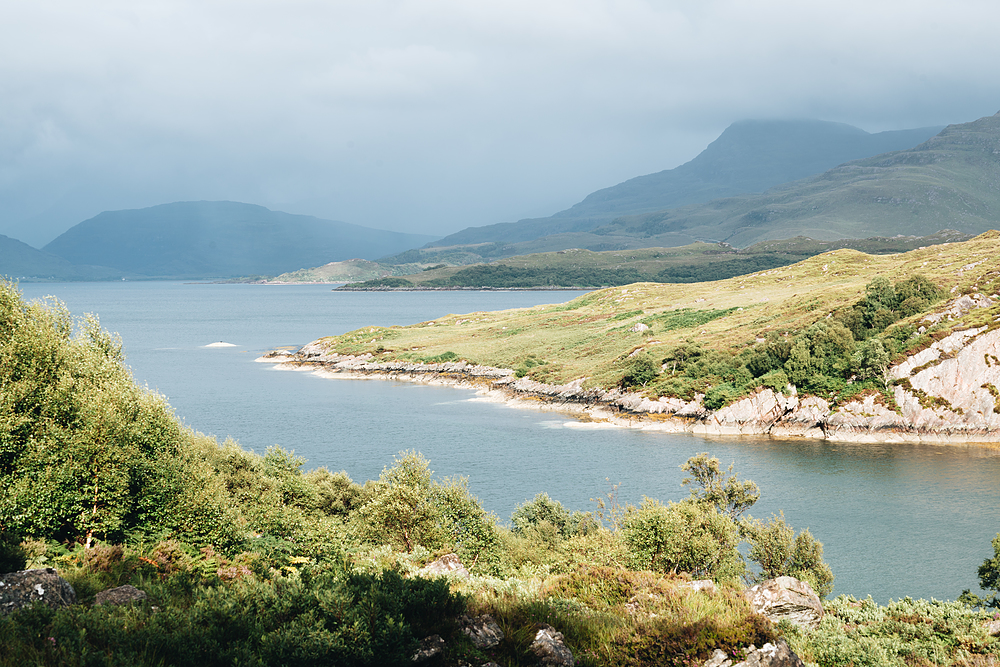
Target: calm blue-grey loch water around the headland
<point>896,520</point>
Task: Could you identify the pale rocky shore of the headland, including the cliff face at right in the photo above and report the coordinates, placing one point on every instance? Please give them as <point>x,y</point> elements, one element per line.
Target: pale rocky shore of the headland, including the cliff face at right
<point>948,393</point>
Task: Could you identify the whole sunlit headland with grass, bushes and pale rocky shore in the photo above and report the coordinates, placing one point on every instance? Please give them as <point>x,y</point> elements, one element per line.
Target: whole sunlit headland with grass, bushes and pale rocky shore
<point>890,346</point>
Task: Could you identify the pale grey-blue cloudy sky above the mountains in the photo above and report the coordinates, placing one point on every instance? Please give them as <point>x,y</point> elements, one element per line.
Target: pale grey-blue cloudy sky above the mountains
<point>430,116</point>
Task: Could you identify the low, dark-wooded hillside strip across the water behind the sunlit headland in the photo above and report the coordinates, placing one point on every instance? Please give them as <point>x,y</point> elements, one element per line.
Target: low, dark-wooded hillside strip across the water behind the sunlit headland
<point>697,262</point>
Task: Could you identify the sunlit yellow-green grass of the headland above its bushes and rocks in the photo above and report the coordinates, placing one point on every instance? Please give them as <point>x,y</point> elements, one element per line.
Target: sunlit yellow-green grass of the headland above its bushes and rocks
<point>590,337</point>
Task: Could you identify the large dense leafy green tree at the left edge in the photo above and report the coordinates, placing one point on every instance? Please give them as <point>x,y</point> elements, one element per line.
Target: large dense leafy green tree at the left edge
<point>84,452</point>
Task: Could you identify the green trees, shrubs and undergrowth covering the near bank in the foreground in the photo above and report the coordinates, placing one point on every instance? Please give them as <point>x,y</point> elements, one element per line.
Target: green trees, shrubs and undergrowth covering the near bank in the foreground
<point>249,560</point>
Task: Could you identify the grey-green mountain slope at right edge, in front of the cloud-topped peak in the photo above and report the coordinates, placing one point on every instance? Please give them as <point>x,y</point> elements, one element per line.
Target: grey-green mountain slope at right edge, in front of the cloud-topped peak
<point>950,181</point>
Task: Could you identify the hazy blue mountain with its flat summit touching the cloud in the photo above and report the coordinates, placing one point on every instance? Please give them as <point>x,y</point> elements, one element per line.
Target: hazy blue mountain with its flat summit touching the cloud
<point>750,156</point>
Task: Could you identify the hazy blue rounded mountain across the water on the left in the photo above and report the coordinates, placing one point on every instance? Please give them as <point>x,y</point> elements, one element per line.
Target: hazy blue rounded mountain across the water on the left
<point>220,239</point>
